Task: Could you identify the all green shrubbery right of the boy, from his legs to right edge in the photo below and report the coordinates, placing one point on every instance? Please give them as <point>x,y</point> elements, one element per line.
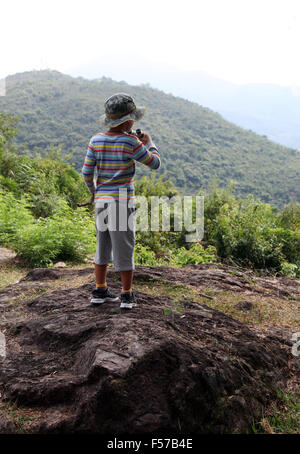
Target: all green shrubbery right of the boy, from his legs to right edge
<point>249,232</point>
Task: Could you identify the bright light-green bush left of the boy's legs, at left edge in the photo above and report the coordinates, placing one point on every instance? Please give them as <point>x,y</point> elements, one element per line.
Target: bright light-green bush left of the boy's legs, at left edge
<point>66,235</point>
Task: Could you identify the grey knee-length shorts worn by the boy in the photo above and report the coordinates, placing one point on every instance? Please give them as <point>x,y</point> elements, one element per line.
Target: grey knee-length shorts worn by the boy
<point>115,226</point>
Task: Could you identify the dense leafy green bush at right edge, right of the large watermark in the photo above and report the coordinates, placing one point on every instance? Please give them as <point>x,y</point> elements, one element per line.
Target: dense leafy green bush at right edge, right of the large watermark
<point>250,232</point>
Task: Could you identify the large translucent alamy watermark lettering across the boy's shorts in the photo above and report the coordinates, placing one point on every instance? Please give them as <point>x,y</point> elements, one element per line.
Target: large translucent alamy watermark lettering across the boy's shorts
<point>156,213</point>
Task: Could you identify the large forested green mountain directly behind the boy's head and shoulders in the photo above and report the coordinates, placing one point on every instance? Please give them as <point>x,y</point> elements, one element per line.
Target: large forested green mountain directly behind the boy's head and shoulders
<point>196,143</point>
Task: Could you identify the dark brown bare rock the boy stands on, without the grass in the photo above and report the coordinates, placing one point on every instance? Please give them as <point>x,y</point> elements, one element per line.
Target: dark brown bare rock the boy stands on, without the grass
<point>98,369</point>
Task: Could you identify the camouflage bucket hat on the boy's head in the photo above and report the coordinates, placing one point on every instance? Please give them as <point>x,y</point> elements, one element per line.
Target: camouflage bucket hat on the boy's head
<point>120,108</point>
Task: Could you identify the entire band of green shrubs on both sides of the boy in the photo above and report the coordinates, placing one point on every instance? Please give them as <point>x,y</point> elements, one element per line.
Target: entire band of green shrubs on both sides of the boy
<point>40,219</point>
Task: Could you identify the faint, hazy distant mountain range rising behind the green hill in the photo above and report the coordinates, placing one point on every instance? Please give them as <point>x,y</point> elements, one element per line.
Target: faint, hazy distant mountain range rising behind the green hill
<point>267,109</point>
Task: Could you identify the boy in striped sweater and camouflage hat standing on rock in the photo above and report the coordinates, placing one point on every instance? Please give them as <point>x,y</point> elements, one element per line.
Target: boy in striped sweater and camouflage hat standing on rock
<point>114,153</point>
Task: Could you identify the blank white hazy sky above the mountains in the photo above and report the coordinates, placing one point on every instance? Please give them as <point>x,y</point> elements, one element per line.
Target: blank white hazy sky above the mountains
<point>240,41</point>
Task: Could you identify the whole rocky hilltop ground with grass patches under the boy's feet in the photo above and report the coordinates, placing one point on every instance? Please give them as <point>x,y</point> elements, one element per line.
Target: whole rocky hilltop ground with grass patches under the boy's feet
<point>214,367</point>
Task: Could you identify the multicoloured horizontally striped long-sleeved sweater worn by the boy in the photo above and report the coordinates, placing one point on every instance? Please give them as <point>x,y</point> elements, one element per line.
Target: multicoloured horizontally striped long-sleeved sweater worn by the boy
<point>114,155</point>
